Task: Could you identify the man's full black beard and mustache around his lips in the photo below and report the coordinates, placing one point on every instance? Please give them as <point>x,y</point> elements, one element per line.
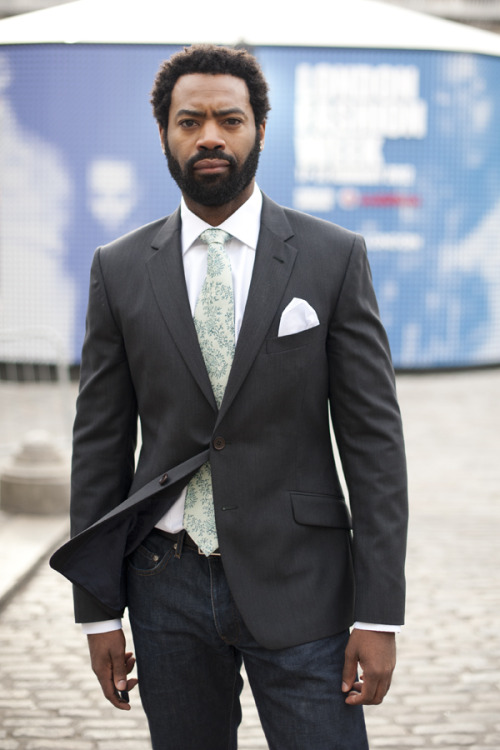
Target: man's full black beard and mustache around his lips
<point>217,189</point>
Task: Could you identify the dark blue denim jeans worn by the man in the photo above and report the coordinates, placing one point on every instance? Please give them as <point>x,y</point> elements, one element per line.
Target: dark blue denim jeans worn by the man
<point>190,642</point>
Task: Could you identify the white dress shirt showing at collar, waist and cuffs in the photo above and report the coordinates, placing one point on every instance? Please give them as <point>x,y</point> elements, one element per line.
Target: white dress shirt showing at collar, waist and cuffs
<point>244,226</point>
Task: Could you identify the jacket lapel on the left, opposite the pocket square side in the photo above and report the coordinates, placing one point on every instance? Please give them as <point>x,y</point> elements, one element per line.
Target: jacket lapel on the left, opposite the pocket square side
<point>166,273</point>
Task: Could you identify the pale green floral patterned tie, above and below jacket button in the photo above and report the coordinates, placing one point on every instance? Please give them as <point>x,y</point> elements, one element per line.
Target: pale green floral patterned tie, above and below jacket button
<point>214,323</point>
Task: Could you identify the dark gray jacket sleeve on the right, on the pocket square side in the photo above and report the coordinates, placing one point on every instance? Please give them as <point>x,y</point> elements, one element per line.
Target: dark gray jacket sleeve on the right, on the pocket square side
<point>368,431</point>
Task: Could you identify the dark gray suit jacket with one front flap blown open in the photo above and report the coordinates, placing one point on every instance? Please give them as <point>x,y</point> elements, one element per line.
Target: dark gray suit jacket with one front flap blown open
<point>296,571</point>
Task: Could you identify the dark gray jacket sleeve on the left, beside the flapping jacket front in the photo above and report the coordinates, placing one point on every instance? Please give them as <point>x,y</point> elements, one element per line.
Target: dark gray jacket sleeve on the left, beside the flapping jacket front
<point>105,429</point>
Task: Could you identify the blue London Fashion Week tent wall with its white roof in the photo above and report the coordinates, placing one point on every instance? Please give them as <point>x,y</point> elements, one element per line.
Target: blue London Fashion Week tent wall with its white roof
<point>384,120</point>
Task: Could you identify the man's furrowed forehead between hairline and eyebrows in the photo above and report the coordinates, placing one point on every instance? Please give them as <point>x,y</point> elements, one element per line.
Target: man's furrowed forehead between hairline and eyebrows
<point>202,91</point>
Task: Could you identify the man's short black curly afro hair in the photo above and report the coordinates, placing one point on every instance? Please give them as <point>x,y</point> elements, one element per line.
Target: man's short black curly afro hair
<point>213,60</point>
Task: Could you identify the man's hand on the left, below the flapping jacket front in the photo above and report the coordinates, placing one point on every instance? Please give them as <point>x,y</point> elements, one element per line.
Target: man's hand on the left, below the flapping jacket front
<point>112,664</point>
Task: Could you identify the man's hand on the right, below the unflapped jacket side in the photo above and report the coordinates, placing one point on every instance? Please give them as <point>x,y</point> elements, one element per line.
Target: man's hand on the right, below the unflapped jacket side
<point>376,654</point>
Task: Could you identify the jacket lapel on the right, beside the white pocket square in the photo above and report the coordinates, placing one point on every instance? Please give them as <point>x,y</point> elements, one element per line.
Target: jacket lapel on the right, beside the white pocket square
<point>274,261</point>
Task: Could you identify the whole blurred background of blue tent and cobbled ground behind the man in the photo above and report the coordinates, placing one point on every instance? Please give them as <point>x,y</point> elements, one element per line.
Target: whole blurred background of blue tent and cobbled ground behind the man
<point>385,119</point>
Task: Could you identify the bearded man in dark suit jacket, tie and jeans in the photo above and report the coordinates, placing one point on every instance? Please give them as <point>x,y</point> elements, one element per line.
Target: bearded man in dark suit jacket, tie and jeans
<point>234,543</point>
